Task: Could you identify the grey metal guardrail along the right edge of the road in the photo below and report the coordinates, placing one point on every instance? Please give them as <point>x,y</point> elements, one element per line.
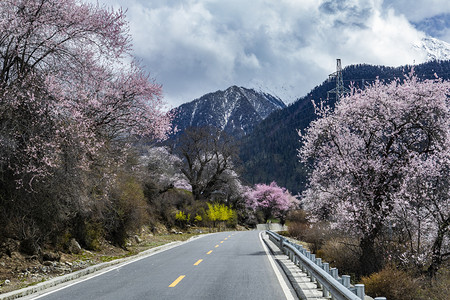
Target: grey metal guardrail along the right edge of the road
<point>328,279</point>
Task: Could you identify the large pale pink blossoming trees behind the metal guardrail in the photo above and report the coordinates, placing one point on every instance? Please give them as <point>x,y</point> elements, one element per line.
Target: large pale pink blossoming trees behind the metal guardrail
<point>381,162</point>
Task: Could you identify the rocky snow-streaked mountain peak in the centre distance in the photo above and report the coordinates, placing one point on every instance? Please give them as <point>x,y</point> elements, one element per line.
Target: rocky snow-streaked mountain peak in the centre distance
<point>236,110</point>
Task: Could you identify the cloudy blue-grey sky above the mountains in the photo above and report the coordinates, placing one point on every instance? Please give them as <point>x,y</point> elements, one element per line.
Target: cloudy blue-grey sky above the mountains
<point>284,47</point>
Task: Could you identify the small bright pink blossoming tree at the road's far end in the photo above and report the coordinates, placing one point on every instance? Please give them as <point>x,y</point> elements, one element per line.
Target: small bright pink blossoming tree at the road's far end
<point>272,200</point>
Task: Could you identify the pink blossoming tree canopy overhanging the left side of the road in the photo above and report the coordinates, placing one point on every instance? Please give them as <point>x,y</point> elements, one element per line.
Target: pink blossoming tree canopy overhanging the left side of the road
<point>68,89</point>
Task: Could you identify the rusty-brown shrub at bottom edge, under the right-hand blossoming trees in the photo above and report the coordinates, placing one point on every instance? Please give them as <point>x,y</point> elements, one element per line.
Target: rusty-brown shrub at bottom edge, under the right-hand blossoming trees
<point>392,283</point>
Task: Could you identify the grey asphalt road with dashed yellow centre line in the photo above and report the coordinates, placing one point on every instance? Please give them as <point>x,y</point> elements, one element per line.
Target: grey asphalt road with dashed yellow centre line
<point>226,265</point>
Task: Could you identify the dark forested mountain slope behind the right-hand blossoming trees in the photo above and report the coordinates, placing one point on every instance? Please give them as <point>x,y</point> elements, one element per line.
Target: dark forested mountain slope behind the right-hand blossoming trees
<point>269,152</point>
